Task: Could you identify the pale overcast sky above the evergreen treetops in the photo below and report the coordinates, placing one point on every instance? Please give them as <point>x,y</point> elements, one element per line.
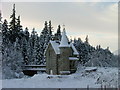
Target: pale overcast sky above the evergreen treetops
<point>98,20</point>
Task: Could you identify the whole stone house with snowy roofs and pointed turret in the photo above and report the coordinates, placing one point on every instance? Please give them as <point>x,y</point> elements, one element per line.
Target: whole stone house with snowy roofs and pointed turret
<point>61,56</point>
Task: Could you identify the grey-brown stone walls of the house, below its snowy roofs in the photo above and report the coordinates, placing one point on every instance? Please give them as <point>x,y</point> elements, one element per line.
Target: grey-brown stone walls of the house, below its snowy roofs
<point>56,63</point>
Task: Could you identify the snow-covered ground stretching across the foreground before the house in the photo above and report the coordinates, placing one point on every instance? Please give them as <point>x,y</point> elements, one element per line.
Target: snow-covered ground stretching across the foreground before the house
<point>80,79</point>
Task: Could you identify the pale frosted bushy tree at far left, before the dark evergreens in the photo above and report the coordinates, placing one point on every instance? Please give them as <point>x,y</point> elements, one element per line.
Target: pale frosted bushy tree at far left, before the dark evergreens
<point>12,60</point>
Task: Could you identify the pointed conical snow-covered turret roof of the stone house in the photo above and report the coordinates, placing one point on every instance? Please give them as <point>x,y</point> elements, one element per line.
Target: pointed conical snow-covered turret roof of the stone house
<point>64,40</point>
